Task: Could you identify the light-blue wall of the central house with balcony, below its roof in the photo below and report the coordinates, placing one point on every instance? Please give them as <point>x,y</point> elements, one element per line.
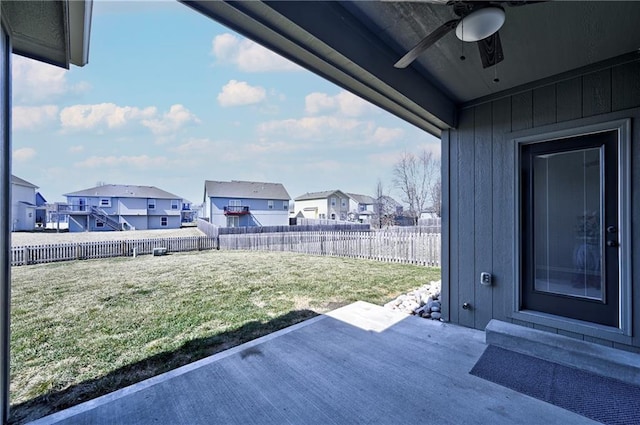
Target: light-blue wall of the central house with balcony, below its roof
<point>260,213</point>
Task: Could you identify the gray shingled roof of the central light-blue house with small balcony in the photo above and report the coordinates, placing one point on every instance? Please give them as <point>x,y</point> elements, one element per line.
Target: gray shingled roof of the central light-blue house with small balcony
<point>245,189</point>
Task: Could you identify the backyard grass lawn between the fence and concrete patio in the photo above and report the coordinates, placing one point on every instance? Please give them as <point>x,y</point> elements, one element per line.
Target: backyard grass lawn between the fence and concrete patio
<point>85,328</point>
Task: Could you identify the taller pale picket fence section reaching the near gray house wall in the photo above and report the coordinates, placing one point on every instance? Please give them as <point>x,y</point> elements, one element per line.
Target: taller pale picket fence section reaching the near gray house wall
<point>409,248</point>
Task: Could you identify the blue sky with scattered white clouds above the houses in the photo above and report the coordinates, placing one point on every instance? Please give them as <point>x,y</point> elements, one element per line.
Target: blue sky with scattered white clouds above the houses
<point>171,98</point>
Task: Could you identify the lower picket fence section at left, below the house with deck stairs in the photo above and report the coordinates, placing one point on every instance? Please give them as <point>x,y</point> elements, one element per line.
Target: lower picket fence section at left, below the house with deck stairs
<point>35,254</point>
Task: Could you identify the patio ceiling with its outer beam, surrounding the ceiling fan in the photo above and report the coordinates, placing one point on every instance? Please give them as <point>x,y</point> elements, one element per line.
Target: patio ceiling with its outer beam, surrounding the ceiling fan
<point>355,44</point>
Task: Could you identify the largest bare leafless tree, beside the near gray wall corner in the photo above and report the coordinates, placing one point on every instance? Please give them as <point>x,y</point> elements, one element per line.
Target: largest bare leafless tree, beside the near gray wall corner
<point>415,176</point>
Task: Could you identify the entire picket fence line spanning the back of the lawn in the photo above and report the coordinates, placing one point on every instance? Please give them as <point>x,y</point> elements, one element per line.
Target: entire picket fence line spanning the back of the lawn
<point>400,247</point>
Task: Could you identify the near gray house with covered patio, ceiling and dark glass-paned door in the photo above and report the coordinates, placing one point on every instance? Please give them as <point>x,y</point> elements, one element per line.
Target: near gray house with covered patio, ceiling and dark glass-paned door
<point>539,124</point>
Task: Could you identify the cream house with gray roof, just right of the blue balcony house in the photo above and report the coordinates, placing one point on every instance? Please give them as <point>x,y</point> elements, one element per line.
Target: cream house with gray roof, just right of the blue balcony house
<point>328,205</point>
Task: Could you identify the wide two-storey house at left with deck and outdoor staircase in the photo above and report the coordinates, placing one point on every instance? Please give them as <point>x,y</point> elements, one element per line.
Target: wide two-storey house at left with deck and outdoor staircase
<point>123,207</point>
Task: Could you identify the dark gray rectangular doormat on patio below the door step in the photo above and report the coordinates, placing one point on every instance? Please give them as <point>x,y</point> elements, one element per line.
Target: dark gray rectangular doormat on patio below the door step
<point>599,398</point>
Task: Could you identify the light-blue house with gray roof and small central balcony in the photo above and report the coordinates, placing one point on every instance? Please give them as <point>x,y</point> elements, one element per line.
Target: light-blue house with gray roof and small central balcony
<point>246,204</point>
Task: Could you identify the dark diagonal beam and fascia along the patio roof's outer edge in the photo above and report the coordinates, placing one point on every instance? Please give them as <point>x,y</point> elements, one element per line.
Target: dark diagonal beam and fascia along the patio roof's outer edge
<point>312,34</point>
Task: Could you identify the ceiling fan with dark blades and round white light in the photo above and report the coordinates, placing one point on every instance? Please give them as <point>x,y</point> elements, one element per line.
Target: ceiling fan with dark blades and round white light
<point>478,21</point>
